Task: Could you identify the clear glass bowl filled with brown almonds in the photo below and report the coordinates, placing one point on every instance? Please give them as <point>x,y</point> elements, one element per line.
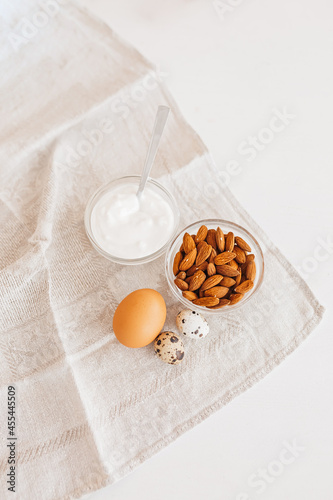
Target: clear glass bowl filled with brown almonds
<point>214,266</point>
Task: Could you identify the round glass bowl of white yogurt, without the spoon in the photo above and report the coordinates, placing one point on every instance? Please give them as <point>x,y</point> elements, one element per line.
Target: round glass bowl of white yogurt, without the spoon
<point>129,230</point>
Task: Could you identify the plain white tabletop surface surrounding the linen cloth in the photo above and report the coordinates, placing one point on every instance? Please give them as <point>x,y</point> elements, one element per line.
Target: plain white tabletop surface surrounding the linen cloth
<point>227,75</point>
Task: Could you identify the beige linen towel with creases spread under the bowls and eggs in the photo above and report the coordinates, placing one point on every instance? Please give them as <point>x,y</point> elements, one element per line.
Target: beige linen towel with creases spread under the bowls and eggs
<point>77,108</point>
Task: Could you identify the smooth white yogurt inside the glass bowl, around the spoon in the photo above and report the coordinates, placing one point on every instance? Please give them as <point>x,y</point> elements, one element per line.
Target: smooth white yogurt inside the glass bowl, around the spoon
<point>128,228</point>
